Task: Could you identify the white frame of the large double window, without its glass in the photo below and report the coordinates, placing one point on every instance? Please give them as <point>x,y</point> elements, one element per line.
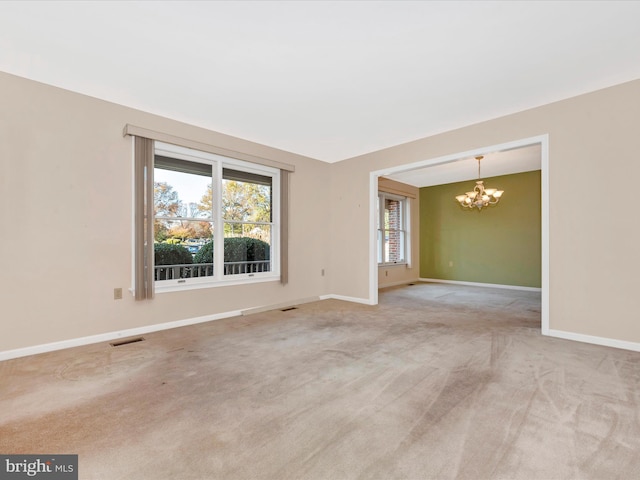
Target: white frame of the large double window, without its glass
<point>218,162</point>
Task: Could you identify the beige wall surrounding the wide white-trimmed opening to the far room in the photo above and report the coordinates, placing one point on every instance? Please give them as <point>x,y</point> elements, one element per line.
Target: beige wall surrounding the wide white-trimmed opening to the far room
<point>593,149</point>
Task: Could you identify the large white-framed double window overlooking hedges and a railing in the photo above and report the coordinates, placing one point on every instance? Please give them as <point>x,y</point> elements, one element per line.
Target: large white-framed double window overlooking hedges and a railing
<point>215,219</point>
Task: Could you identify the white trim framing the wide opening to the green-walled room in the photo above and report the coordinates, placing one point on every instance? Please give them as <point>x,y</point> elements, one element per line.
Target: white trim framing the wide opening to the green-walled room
<point>543,140</point>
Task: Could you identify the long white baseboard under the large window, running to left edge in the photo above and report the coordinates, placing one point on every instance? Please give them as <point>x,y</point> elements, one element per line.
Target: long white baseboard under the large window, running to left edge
<point>105,337</point>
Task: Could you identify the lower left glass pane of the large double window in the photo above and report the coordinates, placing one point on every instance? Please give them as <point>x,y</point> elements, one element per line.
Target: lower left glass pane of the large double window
<point>183,249</point>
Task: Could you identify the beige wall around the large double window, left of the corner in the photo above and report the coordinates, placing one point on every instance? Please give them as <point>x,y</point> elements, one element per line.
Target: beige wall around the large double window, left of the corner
<point>65,177</point>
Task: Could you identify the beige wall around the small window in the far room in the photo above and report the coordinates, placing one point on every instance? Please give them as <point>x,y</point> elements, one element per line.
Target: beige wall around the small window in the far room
<point>400,274</point>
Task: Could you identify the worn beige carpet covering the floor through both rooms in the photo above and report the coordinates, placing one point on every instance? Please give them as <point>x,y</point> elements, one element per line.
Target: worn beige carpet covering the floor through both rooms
<point>436,382</point>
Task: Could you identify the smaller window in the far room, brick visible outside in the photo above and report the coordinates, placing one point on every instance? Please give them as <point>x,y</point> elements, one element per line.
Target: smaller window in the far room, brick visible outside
<point>392,229</point>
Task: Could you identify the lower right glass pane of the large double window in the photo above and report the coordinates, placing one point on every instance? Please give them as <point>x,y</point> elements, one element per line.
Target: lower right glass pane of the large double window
<point>247,248</point>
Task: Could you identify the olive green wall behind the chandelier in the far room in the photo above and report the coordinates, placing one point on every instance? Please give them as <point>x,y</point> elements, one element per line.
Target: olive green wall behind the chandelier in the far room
<point>500,244</point>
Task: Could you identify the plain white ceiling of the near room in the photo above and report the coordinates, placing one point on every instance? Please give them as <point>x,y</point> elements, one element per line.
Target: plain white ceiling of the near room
<point>329,80</point>
